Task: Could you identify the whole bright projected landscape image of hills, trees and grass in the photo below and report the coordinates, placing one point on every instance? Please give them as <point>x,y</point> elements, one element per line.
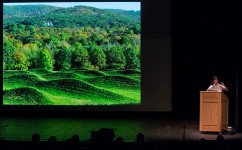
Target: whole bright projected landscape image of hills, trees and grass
<point>72,53</point>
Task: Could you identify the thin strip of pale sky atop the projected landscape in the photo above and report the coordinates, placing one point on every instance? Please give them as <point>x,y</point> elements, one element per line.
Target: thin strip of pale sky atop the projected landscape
<point>102,5</point>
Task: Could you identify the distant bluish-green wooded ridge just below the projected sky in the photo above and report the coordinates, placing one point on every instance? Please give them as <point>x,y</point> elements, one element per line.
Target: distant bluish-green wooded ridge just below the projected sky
<point>69,17</point>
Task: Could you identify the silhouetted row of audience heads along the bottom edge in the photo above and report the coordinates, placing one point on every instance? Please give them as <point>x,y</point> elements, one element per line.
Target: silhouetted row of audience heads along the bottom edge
<point>104,139</point>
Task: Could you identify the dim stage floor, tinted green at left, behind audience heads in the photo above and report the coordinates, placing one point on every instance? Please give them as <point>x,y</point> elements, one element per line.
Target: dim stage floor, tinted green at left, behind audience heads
<point>154,129</point>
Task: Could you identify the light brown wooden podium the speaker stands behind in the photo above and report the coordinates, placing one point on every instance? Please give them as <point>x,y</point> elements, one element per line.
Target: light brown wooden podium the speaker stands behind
<point>213,111</point>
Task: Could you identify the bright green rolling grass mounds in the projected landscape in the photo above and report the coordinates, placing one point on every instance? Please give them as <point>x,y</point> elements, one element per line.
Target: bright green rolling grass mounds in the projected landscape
<point>72,87</point>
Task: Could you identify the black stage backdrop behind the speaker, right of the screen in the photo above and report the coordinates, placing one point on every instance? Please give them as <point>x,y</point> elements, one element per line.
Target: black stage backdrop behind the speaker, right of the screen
<point>206,40</point>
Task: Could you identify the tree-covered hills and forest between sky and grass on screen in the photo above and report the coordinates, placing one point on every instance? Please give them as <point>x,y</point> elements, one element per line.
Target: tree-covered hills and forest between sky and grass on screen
<point>55,38</point>
